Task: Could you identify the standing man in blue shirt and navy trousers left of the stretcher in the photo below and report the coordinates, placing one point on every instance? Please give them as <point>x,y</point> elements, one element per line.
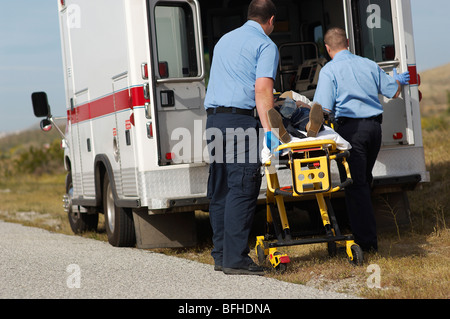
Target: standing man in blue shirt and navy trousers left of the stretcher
<point>242,74</point>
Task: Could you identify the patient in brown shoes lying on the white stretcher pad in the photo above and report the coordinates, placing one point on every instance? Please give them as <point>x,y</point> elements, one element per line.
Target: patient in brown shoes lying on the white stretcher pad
<point>302,122</point>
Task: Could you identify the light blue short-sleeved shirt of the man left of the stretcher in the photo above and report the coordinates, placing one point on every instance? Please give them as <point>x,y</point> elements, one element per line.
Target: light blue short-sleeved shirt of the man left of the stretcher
<point>240,57</point>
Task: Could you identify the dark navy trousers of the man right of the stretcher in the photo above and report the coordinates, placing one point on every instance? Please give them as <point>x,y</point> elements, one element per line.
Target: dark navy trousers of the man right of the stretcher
<point>365,137</point>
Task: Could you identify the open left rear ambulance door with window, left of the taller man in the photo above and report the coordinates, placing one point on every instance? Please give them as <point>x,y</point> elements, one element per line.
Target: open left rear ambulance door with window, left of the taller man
<point>178,75</point>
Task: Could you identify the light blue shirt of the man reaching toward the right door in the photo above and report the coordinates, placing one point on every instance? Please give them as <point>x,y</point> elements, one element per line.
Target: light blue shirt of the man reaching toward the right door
<point>350,85</point>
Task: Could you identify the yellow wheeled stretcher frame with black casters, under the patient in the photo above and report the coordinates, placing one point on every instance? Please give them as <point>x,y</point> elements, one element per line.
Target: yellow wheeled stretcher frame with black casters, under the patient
<point>309,162</point>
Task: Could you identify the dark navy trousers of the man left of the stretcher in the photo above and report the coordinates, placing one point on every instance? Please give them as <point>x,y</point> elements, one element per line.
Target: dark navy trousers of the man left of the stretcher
<point>233,186</point>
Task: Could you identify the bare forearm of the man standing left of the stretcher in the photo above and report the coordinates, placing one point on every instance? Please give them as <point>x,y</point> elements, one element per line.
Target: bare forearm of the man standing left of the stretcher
<point>264,100</point>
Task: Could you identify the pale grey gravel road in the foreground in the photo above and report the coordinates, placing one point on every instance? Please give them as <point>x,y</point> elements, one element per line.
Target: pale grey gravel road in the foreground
<point>35,263</point>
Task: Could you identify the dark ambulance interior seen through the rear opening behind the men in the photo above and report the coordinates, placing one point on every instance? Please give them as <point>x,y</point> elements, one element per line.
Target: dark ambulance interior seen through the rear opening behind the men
<point>298,33</point>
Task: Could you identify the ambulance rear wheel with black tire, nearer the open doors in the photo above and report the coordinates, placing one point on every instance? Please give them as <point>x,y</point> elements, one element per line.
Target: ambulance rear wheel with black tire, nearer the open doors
<point>119,223</point>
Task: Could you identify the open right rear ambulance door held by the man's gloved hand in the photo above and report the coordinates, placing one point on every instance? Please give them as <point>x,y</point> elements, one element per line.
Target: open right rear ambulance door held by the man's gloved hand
<point>376,31</point>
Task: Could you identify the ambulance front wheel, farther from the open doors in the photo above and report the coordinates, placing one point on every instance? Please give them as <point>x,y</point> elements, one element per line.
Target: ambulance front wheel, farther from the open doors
<point>79,222</point>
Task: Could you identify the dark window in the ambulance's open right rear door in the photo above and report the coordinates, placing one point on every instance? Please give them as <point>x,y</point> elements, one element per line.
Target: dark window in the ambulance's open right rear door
<point>374,35</point>
